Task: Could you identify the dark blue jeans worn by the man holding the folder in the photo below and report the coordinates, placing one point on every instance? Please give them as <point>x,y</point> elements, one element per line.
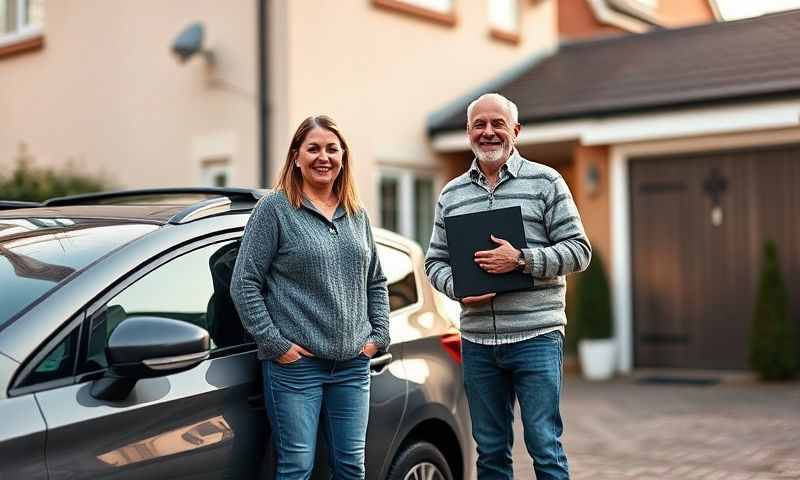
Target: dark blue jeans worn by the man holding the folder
<point>531,372</point>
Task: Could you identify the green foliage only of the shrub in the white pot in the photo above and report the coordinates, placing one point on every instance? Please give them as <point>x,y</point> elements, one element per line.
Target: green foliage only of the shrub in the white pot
<point>592,302</point>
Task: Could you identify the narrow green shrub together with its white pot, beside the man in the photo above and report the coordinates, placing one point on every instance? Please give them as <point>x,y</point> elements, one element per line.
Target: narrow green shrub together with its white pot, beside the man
<point>592,312</point>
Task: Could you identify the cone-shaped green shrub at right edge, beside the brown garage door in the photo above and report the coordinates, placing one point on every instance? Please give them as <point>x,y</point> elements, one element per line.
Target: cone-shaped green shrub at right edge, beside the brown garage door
<point>772,348</point>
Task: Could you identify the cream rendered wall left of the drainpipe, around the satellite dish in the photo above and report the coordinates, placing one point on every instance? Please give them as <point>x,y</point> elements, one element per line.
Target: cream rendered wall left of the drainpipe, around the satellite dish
<point>107,92</point>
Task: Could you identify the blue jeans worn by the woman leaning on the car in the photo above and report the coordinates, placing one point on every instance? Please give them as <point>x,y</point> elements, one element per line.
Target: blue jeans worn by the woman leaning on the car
<point>313,392</point>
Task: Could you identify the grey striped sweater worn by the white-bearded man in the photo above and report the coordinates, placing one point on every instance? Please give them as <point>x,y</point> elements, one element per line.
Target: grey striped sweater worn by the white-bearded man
<point>556,246</point>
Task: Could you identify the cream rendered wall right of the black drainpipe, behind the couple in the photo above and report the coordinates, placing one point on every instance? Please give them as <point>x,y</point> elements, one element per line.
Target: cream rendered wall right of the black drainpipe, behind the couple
<point>380,73</point>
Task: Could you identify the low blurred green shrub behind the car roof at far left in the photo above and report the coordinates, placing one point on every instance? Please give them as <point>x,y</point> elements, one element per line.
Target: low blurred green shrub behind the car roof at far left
<point>35,184</point>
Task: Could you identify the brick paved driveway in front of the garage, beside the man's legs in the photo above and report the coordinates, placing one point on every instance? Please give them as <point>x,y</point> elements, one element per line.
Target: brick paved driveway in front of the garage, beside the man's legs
<point>735,430</point>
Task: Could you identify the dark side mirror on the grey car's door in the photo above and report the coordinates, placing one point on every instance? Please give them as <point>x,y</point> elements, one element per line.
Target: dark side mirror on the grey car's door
<point>146,347</point>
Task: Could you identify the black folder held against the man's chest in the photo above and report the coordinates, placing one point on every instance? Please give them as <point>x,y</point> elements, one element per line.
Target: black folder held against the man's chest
<point>469,233</point>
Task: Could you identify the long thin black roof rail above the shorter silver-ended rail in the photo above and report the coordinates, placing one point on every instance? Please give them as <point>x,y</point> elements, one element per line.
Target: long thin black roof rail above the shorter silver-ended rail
<point>157,195</point>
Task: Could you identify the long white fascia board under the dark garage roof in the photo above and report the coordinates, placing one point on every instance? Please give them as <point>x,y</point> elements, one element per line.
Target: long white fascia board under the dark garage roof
<point>645,127</point>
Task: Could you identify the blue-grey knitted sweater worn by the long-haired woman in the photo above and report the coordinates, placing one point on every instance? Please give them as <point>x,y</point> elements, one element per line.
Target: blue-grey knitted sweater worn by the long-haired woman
<point>300,278</point>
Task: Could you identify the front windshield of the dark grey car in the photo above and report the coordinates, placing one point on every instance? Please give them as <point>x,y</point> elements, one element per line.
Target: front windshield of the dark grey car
<point>38,255</point>
